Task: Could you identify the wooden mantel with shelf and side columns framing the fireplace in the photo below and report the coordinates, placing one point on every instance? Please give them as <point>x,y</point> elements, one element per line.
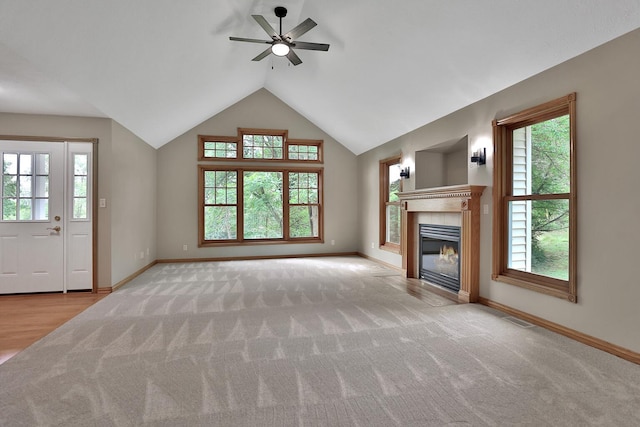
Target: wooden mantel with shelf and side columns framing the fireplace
<point>461,199</point>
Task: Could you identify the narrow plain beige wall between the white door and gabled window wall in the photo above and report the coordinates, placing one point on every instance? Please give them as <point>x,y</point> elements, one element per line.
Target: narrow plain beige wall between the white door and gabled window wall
<point>133,203</point>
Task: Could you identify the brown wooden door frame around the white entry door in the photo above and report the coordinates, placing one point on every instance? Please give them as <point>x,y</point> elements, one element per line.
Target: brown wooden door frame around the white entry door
<point>94,189</point>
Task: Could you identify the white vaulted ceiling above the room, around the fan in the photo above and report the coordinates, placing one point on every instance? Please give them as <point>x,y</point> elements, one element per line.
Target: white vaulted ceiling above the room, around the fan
<point>160,67</point>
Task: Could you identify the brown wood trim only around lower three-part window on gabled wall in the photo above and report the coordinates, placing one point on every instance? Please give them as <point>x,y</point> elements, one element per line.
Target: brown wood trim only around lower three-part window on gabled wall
<point>240,240</point>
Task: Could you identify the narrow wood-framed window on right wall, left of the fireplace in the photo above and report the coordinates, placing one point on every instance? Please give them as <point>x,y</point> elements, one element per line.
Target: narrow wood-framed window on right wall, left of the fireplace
<point>390,217</point>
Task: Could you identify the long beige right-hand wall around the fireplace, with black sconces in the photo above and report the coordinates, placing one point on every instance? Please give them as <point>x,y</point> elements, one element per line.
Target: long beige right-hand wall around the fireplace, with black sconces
<point>608,107</point>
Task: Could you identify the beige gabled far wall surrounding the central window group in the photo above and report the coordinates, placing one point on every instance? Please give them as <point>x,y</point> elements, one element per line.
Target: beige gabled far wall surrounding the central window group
<point>177,183</point>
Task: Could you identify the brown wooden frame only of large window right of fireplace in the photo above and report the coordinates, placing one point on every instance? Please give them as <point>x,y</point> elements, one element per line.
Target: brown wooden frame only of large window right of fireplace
<point>502,129</point>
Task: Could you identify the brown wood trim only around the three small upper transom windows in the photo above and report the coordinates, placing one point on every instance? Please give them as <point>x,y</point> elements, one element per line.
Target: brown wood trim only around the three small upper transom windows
<point>238,140</point>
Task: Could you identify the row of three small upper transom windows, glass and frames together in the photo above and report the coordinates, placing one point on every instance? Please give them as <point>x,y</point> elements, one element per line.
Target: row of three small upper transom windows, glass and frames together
<point>269,145</point>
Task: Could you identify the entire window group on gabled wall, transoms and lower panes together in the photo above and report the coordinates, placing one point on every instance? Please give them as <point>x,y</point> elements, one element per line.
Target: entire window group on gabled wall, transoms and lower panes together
<point>242,204</point>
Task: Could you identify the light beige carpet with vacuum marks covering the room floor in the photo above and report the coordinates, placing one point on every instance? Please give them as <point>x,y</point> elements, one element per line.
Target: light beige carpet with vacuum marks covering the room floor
<point>311,342</point>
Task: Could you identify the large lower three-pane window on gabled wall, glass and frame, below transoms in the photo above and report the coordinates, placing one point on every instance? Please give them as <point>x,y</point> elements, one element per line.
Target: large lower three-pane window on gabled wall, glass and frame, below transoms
<point>260,205</point>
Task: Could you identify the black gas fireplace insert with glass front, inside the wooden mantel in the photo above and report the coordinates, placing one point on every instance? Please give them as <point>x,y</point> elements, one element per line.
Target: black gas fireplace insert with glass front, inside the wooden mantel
<point>440,255</point>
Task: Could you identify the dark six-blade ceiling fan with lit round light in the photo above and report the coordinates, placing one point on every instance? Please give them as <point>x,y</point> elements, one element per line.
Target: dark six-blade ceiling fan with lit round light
<point>283,44</point>
